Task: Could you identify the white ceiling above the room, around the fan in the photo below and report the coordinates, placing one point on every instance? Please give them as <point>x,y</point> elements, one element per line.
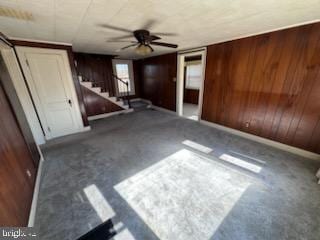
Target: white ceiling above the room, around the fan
<point>196,22</point>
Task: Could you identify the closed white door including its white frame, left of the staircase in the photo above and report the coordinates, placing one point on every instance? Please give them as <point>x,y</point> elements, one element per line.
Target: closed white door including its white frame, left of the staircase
<point>50,81</point>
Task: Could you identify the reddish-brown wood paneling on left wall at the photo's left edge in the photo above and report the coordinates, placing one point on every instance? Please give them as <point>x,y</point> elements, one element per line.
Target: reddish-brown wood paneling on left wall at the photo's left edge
<point>15,160</point>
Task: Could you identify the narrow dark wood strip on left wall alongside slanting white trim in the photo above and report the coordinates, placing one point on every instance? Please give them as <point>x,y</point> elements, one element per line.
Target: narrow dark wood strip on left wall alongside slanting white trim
<point>7,83</point>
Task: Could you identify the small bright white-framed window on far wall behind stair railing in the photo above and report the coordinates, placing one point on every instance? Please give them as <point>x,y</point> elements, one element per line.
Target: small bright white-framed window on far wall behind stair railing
<point>123,69</point>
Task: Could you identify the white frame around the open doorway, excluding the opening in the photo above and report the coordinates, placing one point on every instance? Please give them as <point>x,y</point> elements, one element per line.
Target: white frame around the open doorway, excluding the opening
<point>180,78</point>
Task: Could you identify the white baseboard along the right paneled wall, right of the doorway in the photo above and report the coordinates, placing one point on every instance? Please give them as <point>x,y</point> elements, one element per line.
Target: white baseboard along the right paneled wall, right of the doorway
<point>265,141</point>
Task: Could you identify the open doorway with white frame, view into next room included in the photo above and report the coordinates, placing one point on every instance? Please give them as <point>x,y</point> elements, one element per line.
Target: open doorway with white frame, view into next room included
<point>191,69</point>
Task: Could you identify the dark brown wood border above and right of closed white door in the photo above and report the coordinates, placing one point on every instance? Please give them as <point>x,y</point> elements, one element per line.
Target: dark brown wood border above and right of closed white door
<point>72,66</point>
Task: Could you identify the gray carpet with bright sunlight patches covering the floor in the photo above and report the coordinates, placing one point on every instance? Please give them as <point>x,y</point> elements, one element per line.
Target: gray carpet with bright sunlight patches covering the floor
<point>158,176</point>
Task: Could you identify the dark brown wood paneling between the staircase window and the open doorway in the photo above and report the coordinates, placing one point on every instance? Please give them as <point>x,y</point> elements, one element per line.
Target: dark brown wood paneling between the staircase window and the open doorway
<point>159,75</point>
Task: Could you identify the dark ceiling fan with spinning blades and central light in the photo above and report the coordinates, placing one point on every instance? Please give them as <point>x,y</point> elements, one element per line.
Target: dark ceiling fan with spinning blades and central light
<point>144,39</point>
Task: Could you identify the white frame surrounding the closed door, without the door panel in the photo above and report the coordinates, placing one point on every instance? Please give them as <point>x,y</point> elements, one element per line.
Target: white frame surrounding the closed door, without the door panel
<point>21,52</point>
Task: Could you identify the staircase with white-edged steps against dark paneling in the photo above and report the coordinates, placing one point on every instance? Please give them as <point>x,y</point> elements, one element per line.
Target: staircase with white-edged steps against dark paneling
<point>93,86</point>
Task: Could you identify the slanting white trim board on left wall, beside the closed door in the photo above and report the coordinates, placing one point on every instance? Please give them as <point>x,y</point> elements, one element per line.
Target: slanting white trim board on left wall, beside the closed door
<point>23,94</point>
